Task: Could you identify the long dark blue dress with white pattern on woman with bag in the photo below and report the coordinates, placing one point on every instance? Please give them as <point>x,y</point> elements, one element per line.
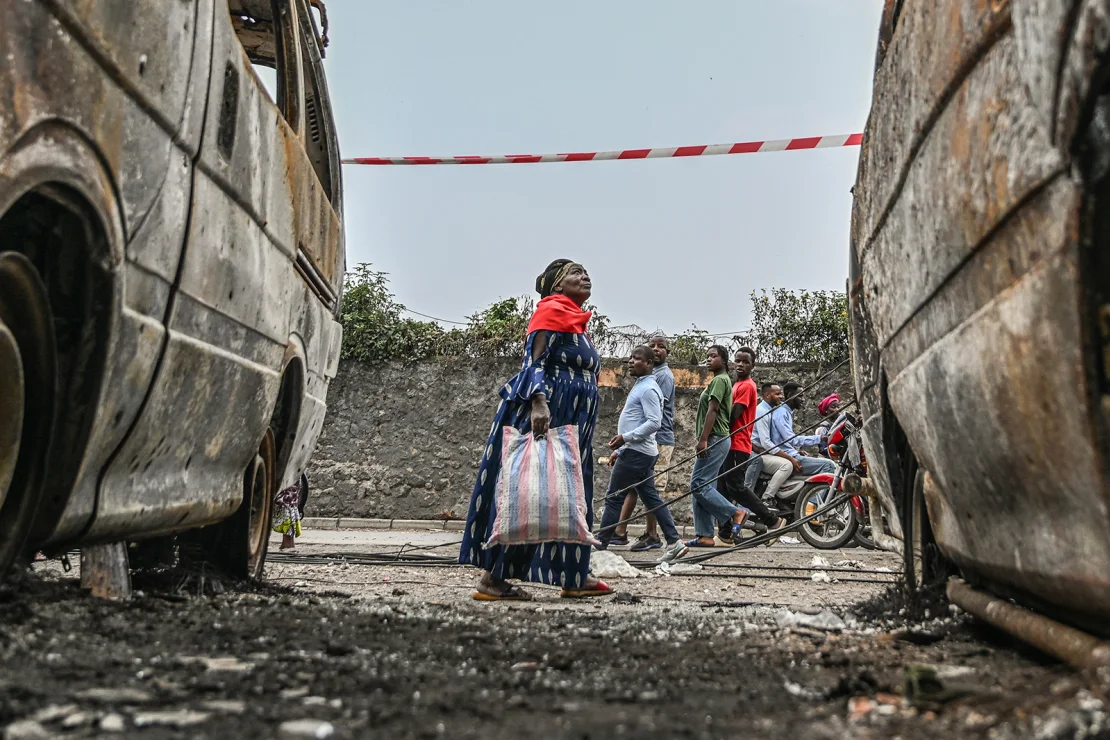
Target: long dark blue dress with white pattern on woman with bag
<point>567,372</point>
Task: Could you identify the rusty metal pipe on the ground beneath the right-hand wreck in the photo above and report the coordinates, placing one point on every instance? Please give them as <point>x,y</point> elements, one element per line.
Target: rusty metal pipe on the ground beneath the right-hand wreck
<point>1067,644</point>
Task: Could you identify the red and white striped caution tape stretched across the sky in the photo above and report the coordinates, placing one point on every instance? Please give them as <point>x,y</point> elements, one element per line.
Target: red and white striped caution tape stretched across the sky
<point>703,150</point>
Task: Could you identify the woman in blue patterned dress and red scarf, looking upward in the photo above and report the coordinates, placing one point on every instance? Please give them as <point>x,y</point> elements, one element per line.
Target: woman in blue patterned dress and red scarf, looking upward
<point>558,386</point>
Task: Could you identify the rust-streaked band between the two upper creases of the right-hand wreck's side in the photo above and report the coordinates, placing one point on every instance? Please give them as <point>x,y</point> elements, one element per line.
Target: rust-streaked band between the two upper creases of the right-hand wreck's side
<point>986,154</point>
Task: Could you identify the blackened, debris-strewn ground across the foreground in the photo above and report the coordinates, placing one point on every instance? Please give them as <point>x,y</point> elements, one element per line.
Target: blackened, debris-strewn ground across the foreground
<point>241,663</point>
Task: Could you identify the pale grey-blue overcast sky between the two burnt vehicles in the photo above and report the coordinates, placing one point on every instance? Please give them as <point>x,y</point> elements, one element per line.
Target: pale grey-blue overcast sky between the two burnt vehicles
<point>670,244</point>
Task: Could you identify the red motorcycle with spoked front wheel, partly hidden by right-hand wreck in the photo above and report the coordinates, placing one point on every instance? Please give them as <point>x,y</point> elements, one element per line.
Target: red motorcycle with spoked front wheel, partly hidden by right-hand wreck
<point>851,520</point>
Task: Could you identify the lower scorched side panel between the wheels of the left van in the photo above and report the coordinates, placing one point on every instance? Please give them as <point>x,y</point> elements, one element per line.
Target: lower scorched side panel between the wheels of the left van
<point>229,330</point>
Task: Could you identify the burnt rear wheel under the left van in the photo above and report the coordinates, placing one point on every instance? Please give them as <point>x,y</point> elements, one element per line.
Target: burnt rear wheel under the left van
<point>239,545</point>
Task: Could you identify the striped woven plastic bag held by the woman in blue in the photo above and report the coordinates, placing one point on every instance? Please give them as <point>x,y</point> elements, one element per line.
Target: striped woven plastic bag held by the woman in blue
<point>540,492</point>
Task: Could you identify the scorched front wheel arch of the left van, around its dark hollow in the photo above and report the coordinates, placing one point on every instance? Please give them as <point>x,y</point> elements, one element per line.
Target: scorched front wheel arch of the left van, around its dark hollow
<point>56,176</point>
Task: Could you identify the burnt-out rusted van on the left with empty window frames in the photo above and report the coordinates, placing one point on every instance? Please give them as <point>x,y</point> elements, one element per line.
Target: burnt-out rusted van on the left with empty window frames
<point>171,263</point>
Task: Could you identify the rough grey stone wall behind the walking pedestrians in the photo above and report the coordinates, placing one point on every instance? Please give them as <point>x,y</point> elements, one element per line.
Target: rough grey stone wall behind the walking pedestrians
<point>402,441</point>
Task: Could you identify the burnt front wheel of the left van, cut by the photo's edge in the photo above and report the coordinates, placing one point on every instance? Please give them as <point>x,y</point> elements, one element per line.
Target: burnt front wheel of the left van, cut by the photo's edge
<point>27,400</point>
